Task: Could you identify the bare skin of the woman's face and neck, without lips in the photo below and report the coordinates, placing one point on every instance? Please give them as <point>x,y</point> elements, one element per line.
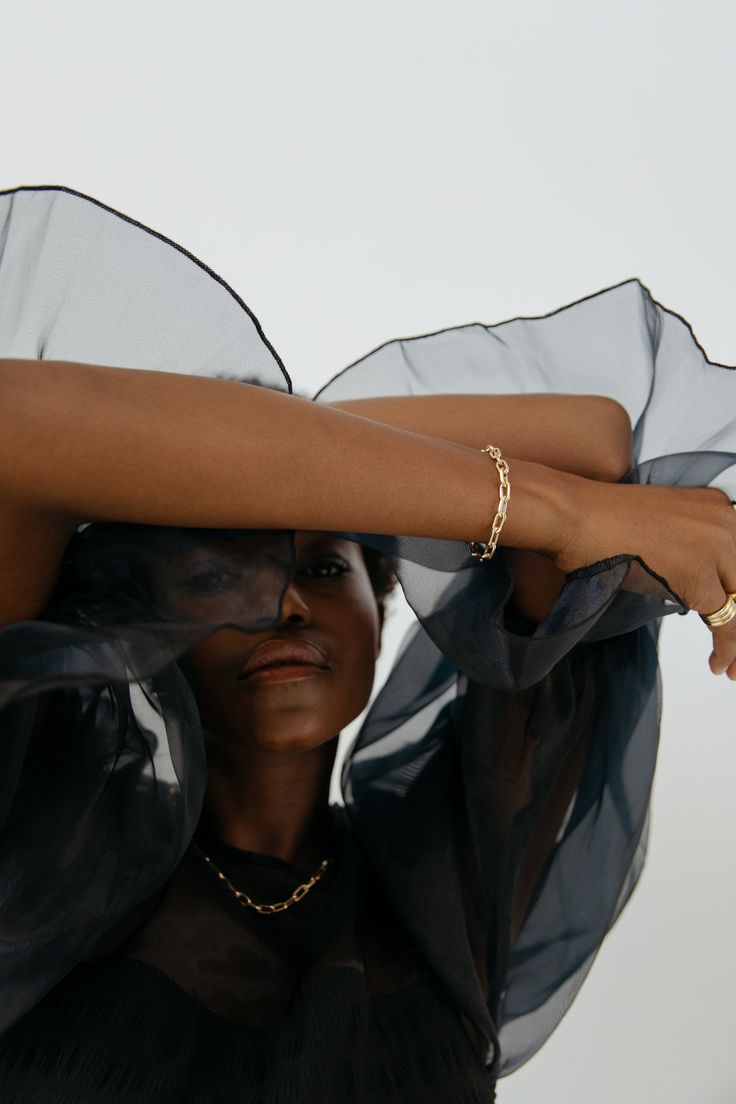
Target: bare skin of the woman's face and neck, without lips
<point>272,745</point>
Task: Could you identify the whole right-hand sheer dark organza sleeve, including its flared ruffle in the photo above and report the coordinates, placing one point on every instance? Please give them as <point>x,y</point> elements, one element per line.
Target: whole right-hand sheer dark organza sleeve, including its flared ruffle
<point>465,748</point>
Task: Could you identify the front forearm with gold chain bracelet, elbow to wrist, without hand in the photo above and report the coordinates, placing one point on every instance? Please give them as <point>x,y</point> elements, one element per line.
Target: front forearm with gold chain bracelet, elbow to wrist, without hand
<point>164,449</point>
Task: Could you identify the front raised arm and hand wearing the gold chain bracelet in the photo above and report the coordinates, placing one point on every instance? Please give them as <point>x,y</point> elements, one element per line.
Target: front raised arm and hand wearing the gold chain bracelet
<point>82,443</point>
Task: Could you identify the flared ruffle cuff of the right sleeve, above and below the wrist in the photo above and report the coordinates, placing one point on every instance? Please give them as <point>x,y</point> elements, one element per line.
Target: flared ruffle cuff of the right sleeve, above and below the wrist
<point>620,344</point>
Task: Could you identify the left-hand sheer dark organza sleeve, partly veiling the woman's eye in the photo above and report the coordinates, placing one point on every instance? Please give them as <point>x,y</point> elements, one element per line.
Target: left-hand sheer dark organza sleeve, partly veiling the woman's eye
<point>102,756</point>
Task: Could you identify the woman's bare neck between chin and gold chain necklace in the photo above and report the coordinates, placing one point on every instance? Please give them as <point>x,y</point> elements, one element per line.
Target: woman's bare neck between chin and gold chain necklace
<point>272,803</point>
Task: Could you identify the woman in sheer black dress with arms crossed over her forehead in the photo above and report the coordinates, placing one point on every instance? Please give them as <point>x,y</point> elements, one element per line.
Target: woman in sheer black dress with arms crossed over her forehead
<point>496,800</point>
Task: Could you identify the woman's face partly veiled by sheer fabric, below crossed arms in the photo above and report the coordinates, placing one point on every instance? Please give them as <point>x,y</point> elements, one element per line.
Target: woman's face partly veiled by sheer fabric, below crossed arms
<point>329,609</point>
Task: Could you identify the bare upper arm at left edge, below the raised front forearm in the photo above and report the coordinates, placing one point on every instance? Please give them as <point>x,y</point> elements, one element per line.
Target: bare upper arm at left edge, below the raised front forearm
<point>33,544</point>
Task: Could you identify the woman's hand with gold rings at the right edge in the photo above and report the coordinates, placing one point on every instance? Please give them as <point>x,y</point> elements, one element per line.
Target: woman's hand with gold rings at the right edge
<point>687,535</point>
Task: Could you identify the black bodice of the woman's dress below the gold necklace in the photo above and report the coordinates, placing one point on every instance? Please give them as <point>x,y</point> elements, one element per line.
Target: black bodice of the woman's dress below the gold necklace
<point>326,1003</point>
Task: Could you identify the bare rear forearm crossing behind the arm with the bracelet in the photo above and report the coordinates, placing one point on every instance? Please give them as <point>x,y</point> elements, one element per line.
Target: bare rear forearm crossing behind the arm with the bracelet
<point>586,436</point>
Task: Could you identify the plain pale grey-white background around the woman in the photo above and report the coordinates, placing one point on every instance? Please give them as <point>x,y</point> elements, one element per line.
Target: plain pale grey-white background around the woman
<point>365,172</point>
